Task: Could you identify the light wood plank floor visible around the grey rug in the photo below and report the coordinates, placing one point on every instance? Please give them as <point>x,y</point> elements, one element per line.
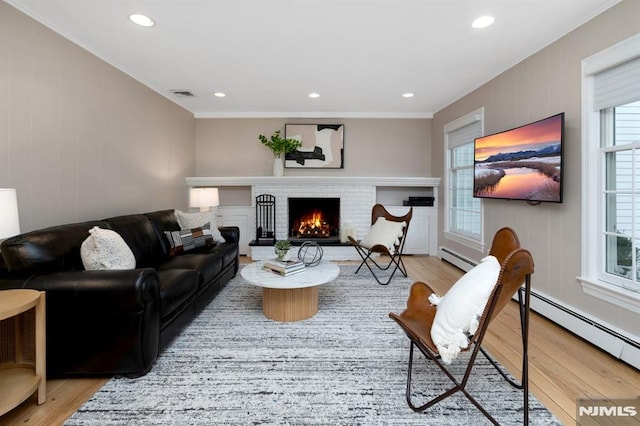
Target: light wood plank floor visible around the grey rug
<point>562,367</point>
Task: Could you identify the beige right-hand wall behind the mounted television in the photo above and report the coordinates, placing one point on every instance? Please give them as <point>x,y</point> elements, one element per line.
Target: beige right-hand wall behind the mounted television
<point>544,84</point>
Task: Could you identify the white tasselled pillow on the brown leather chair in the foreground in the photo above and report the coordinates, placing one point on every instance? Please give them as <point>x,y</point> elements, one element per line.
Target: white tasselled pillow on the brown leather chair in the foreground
<point>460,308</point>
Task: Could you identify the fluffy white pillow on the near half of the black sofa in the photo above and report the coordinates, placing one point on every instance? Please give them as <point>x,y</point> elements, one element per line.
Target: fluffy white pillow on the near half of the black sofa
<point>105,249</point>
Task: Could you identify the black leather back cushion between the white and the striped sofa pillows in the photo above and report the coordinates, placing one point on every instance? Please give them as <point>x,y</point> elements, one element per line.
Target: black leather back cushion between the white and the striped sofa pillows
<point>140,236</point>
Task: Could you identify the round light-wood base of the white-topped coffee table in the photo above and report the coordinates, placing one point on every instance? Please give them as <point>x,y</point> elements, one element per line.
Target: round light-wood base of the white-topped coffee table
<point>289,304</point>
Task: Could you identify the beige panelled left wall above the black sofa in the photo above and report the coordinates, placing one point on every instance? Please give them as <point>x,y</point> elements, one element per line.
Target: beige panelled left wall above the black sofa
<point>79,139</point>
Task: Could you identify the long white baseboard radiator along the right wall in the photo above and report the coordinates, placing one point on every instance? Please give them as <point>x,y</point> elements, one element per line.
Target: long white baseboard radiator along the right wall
<point>604,336</point>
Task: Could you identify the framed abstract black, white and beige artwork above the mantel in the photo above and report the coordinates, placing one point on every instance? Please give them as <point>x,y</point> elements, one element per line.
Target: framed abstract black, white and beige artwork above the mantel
<point>322,146</point>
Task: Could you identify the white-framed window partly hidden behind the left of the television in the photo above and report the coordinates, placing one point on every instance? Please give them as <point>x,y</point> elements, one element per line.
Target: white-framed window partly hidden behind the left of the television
<point>463,219</point>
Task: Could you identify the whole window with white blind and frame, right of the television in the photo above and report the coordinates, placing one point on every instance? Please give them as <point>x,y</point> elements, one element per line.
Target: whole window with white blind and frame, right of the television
<point>611,174</point>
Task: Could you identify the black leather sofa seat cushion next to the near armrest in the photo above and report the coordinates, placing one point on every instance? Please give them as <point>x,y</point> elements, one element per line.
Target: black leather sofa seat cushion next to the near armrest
<point>177,288</point>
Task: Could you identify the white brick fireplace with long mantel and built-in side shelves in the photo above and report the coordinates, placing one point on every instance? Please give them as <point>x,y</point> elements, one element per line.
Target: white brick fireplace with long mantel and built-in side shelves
<point>357,196</point>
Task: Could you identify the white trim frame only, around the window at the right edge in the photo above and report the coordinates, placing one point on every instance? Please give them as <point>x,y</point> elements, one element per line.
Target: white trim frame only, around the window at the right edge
<point>593,257</point>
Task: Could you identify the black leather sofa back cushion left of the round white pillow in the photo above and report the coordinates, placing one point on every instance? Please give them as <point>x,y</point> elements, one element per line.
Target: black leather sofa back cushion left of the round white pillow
<point>52,249</point>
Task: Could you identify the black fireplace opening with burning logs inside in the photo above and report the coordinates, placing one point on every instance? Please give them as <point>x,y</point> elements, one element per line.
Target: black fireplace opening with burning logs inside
<point>314,219</point>
